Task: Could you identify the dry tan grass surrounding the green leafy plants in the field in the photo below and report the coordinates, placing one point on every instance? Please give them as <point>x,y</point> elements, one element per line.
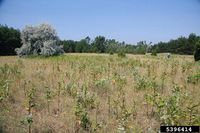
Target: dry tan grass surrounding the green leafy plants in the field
<point>97,73</point>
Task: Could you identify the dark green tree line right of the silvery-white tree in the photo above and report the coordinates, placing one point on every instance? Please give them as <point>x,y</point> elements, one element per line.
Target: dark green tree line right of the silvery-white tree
<point>181,45</point>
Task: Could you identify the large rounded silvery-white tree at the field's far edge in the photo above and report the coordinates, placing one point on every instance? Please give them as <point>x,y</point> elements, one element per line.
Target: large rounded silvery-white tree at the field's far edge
<point>39,40</point>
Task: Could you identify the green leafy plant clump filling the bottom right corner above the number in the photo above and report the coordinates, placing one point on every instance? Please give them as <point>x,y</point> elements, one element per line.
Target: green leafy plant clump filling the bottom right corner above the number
<point>169,109</point>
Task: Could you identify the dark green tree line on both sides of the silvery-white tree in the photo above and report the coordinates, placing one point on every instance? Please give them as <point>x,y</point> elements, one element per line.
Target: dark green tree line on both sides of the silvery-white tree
<point>10,40</point>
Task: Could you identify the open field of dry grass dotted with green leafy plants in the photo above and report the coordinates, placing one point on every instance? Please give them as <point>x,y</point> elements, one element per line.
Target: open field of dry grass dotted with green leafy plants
<point>98,93</point>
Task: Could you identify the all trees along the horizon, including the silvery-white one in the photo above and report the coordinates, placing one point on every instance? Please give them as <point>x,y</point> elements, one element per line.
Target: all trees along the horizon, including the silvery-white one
<point>42,40</point>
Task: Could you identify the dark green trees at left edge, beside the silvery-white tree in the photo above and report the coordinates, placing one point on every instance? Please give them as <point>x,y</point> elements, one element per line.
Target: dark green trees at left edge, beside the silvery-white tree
<point>9,40</point>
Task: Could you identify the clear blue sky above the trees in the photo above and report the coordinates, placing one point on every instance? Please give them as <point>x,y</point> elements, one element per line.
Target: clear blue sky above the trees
<point>124,20</point>
